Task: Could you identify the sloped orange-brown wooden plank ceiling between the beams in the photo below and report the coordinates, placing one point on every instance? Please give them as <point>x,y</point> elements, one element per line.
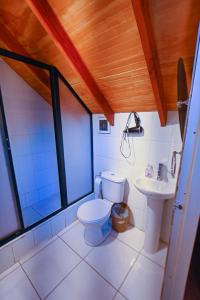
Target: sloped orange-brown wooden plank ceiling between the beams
<point>107,37</point>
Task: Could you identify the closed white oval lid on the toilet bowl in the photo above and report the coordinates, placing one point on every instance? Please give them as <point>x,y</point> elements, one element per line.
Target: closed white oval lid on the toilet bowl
<point>94,210</point>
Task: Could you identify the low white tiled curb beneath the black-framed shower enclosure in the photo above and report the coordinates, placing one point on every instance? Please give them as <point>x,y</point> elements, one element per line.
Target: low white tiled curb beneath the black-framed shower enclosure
<point>18,248</point>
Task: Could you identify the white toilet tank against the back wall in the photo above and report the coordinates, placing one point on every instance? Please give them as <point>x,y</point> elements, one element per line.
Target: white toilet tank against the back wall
<point>113,186</point>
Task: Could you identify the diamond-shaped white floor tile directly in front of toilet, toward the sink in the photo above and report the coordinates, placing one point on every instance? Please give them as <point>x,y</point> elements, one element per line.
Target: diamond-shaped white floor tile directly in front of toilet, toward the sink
<point>112,260</point>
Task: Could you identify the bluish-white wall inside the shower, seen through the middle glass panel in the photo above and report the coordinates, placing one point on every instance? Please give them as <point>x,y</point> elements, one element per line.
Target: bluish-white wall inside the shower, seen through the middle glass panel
<point>30,126</point>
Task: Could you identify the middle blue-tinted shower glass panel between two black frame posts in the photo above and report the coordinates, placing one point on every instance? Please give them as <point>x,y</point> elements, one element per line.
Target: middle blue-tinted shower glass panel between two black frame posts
<point>30,124</point>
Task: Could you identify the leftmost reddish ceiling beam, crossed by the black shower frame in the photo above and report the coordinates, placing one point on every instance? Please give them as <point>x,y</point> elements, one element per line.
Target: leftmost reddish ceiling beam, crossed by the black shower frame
<point>13,45</point>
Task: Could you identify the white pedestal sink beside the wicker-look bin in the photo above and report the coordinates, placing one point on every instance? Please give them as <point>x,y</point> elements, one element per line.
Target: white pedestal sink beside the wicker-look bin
<point>157,192</point>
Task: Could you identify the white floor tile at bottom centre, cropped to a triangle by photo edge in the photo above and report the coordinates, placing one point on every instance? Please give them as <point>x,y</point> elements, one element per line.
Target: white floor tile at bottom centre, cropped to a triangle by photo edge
<point>83,284</point>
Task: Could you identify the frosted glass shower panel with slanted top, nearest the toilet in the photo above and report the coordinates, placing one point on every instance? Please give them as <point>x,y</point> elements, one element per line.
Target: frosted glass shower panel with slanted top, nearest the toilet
<point>76,130</point>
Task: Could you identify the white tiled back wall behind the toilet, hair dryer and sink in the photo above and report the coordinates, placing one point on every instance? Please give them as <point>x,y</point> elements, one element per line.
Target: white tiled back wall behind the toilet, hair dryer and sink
<point>155,146</point>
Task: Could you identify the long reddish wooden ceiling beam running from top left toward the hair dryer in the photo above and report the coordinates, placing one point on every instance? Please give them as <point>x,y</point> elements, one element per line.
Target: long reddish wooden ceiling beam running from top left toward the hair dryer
<point>52,25</point>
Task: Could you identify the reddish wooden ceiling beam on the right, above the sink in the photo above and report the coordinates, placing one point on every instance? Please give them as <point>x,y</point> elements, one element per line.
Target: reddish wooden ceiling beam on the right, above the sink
<point>149,48</point>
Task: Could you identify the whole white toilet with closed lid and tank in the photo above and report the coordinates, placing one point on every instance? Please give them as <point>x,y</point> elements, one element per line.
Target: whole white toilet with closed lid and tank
<point>95,214</point>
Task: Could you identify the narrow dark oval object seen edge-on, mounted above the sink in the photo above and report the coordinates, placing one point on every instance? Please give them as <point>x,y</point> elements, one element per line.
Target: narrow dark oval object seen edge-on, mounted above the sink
<point>182,95</point>
